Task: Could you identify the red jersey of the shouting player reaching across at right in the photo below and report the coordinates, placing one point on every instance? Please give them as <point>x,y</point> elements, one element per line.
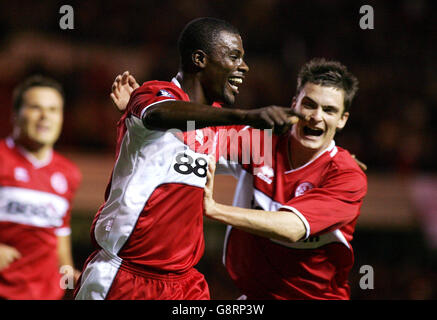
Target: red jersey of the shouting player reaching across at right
<point>326,194</point>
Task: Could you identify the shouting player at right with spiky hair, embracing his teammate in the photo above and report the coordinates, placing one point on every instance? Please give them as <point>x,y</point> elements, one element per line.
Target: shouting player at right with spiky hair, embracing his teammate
<point>292,223</point>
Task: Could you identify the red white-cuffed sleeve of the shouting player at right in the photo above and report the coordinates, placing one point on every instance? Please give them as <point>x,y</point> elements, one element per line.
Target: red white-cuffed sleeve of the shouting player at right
<point>334,204</point>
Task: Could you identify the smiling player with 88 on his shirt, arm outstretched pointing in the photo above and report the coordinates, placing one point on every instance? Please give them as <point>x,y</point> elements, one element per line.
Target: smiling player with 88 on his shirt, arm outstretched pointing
<point>149,232</point>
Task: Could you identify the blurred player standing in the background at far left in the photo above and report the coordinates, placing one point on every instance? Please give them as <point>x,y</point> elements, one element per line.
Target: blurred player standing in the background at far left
<point>36,190</point>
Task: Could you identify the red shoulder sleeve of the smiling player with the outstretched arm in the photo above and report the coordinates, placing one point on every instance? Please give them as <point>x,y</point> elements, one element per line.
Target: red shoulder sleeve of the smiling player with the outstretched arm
<point>149,94</point>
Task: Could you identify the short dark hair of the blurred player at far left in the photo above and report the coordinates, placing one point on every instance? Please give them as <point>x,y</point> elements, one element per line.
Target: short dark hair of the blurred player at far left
<point>30,82</point>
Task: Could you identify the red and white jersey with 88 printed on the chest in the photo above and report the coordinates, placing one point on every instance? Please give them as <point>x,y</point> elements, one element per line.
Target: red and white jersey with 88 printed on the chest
<point>152,218</point>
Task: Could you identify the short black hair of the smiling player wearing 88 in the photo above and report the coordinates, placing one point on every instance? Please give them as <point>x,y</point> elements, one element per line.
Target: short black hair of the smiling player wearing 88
<point>200,33</point>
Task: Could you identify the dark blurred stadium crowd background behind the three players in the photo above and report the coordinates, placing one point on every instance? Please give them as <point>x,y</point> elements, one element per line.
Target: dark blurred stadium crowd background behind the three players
<point>391,128</point>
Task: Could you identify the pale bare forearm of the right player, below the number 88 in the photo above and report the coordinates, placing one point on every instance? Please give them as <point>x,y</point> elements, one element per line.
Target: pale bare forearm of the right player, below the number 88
<point>278,225</point>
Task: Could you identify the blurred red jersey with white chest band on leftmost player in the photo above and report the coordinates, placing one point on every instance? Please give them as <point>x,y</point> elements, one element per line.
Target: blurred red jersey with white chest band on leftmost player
<point>35,205</point>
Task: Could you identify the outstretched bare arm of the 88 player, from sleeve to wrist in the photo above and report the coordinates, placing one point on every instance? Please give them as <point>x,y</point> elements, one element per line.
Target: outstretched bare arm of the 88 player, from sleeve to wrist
<point>175,114</point>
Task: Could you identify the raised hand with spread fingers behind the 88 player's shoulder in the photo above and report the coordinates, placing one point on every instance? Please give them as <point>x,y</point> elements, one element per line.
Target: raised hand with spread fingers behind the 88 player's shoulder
<point>121,90</point>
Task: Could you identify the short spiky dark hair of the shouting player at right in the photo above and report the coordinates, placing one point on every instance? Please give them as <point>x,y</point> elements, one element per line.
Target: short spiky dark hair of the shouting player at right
<point>329,73</point>
